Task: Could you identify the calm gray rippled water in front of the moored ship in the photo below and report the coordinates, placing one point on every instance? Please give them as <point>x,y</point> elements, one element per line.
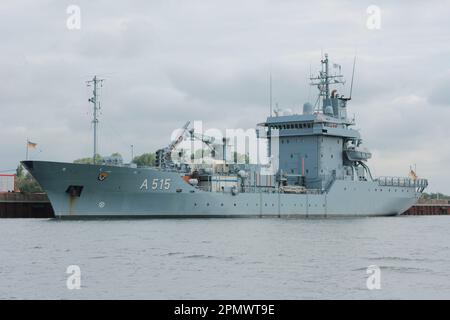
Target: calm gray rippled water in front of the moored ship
<point>226,258</point>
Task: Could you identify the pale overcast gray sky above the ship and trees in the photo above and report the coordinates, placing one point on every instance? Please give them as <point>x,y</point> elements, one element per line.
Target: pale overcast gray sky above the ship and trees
<point>166,62</point>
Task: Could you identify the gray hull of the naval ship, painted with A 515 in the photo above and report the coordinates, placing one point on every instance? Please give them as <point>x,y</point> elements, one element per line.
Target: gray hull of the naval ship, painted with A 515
<point>80,190</point>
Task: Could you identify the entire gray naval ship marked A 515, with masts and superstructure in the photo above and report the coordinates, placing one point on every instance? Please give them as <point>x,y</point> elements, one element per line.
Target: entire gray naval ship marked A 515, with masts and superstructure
<point>321,170</point>
